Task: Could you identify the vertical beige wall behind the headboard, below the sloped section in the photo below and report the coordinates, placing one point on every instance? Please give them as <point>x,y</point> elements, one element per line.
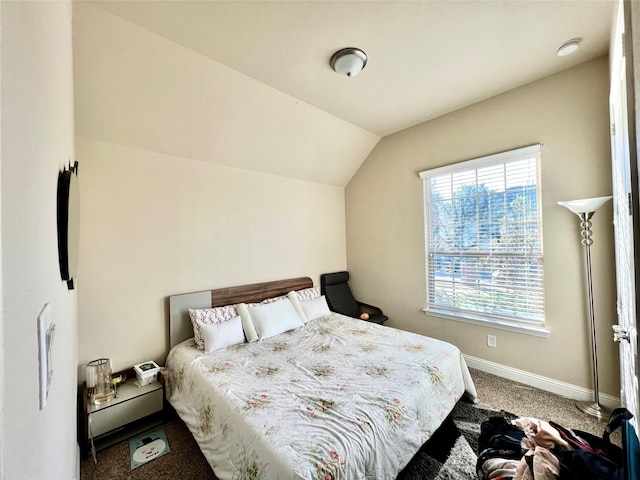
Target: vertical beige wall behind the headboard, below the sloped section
<point>153,225</point>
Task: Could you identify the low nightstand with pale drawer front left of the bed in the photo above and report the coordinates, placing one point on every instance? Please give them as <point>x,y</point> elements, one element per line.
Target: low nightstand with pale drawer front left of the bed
<point>134,410</point>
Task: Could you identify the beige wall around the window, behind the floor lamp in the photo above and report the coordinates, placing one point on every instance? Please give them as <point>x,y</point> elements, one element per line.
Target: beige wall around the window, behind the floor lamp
<point>568,114</point>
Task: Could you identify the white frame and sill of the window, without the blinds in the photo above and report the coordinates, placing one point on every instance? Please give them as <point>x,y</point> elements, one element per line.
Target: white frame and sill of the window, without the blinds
<point>535,327</point>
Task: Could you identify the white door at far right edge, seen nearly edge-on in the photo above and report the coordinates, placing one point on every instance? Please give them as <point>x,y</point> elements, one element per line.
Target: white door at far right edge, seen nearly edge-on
<point>625,193</point>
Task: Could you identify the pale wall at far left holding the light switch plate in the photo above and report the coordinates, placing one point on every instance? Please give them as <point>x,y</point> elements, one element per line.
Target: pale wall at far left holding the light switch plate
<point>37,141</point>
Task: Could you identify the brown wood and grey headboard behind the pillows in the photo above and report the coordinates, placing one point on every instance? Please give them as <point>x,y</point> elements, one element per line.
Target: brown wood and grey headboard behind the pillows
<point>180,327</point>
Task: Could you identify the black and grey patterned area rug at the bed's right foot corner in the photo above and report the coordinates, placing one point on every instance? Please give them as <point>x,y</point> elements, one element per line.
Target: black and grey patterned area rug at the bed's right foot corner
<point>451,453</point>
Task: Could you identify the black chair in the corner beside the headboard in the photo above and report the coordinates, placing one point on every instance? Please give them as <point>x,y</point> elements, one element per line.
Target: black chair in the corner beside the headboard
<point>336,290</point>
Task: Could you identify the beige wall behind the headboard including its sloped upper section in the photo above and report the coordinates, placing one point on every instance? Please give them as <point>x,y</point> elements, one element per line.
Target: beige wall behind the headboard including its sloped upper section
<point>192,176</point>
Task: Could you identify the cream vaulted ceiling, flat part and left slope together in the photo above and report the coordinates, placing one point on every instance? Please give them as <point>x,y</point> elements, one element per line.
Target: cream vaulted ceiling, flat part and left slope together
<point>426,58</point>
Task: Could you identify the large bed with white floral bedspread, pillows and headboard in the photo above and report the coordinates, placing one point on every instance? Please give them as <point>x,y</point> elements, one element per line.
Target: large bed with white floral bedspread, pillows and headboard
<point>333,398</point>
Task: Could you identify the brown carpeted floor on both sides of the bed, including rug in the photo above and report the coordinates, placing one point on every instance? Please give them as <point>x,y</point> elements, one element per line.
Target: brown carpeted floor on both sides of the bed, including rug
<point>449,455</point>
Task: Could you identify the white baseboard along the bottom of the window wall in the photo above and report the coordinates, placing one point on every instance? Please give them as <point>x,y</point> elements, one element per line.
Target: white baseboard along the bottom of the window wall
<point>543,383</point>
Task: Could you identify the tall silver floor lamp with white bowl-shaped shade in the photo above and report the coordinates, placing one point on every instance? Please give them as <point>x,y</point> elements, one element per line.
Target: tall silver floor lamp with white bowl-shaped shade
<point>585,209</point>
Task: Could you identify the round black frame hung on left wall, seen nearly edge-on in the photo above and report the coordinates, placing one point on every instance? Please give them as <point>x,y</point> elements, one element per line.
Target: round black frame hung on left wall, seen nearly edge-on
<point>68,214</point>
